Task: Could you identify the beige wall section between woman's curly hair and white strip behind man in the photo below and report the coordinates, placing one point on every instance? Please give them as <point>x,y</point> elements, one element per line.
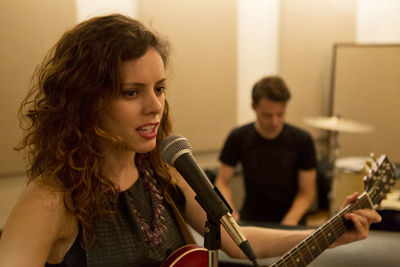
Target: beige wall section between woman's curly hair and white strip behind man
<point>202,90</point>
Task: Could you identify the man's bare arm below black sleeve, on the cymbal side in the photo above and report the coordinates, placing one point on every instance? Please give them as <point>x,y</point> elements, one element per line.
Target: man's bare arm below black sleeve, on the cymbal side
<point>304,198</point>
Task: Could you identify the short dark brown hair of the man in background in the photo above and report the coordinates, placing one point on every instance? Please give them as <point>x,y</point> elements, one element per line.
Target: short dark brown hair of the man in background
<point>272,88</point>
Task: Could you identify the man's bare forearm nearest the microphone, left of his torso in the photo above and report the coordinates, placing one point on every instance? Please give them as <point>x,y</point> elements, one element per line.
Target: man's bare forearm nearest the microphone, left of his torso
<point>223,182</point>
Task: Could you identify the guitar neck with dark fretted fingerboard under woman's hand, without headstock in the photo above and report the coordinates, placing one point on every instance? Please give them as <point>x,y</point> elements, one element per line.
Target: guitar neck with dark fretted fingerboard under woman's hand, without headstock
<point>308,249</point>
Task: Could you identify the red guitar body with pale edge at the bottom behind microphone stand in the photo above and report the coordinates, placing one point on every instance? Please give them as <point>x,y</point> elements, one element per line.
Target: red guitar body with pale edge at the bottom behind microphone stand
<point>189,255</point>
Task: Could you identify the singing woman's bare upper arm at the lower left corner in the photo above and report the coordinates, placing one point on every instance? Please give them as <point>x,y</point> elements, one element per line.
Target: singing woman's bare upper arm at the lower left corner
<point>37,230</point>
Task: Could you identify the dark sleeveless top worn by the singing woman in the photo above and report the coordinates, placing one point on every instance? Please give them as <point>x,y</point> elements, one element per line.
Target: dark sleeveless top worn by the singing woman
<point>121,242</point>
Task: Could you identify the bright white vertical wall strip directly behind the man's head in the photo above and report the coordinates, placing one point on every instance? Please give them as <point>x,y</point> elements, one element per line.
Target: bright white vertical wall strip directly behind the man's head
<point>258,36</point>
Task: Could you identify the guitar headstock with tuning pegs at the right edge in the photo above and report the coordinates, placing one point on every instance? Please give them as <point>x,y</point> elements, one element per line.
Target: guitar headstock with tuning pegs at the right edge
<point>381,177</point>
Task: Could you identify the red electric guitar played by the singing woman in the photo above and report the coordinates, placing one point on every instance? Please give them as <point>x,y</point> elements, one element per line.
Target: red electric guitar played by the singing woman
<point>378,182</point>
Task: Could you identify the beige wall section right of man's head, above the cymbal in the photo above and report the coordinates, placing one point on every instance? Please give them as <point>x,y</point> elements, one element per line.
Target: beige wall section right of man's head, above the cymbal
<point>309,30</point>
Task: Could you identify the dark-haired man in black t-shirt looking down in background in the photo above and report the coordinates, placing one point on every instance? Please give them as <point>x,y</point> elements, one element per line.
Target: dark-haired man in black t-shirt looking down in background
<point>278,161</point>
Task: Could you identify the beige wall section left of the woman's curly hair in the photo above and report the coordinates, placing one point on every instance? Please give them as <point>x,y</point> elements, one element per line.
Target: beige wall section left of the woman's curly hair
<point>28,29</point>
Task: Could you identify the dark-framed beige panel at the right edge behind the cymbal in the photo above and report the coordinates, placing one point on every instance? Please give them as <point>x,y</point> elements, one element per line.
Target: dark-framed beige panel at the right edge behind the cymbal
<point>366,86</point>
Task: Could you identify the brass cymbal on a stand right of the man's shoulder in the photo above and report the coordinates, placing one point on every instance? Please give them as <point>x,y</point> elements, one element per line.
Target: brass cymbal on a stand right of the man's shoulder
<point>336,123</point>
